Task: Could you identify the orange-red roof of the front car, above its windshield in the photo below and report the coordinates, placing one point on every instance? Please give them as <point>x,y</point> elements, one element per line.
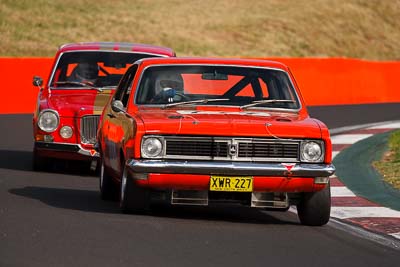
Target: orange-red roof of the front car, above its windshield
<point>214,61</point>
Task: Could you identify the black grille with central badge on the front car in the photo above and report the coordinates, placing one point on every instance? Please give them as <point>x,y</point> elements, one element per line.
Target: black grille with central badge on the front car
<point>240,149</point>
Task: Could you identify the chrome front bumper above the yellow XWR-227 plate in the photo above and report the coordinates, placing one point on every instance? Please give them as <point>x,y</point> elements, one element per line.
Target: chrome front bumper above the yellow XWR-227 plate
<point>229,168</point>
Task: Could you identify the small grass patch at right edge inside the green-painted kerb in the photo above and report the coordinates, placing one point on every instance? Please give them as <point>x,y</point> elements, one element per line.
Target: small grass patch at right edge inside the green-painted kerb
<point>389,166</point>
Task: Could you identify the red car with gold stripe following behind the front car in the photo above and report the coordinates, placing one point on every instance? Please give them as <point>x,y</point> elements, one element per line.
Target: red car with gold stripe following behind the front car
<point>82,79</point>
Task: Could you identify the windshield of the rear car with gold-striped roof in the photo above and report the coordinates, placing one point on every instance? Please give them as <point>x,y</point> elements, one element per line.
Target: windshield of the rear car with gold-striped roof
<point>92,69</point>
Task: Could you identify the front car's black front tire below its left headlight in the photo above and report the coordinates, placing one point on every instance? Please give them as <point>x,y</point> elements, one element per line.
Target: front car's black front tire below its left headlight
<point>133,199</point>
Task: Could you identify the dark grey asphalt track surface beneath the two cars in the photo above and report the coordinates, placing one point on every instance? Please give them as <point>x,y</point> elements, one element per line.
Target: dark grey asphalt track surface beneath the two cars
<point>57,219</point>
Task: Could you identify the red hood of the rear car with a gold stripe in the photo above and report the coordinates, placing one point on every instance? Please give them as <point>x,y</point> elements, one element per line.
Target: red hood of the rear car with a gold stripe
<point>78,102</point>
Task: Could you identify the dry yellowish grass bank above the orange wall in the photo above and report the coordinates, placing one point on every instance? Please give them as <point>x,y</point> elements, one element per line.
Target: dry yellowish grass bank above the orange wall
<point>368,29</point>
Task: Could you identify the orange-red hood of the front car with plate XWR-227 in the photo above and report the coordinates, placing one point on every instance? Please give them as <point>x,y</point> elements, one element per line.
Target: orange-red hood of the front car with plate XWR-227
<point>229,123</point>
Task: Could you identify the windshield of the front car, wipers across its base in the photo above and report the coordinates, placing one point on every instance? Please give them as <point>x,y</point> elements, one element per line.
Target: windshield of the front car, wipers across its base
<point>247,87</point>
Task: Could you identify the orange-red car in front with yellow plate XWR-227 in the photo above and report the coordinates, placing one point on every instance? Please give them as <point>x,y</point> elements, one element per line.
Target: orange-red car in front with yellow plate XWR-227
<point>192,131</point>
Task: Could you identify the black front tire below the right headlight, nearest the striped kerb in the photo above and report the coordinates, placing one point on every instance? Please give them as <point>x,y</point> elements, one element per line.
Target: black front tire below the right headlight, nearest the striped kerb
<point>315,208</point>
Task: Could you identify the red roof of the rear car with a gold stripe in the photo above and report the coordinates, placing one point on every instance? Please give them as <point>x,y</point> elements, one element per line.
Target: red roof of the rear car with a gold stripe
<point>117,46</point>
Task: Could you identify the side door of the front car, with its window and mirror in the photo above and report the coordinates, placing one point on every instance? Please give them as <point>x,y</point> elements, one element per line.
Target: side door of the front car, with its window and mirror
<point>117,123</point>
